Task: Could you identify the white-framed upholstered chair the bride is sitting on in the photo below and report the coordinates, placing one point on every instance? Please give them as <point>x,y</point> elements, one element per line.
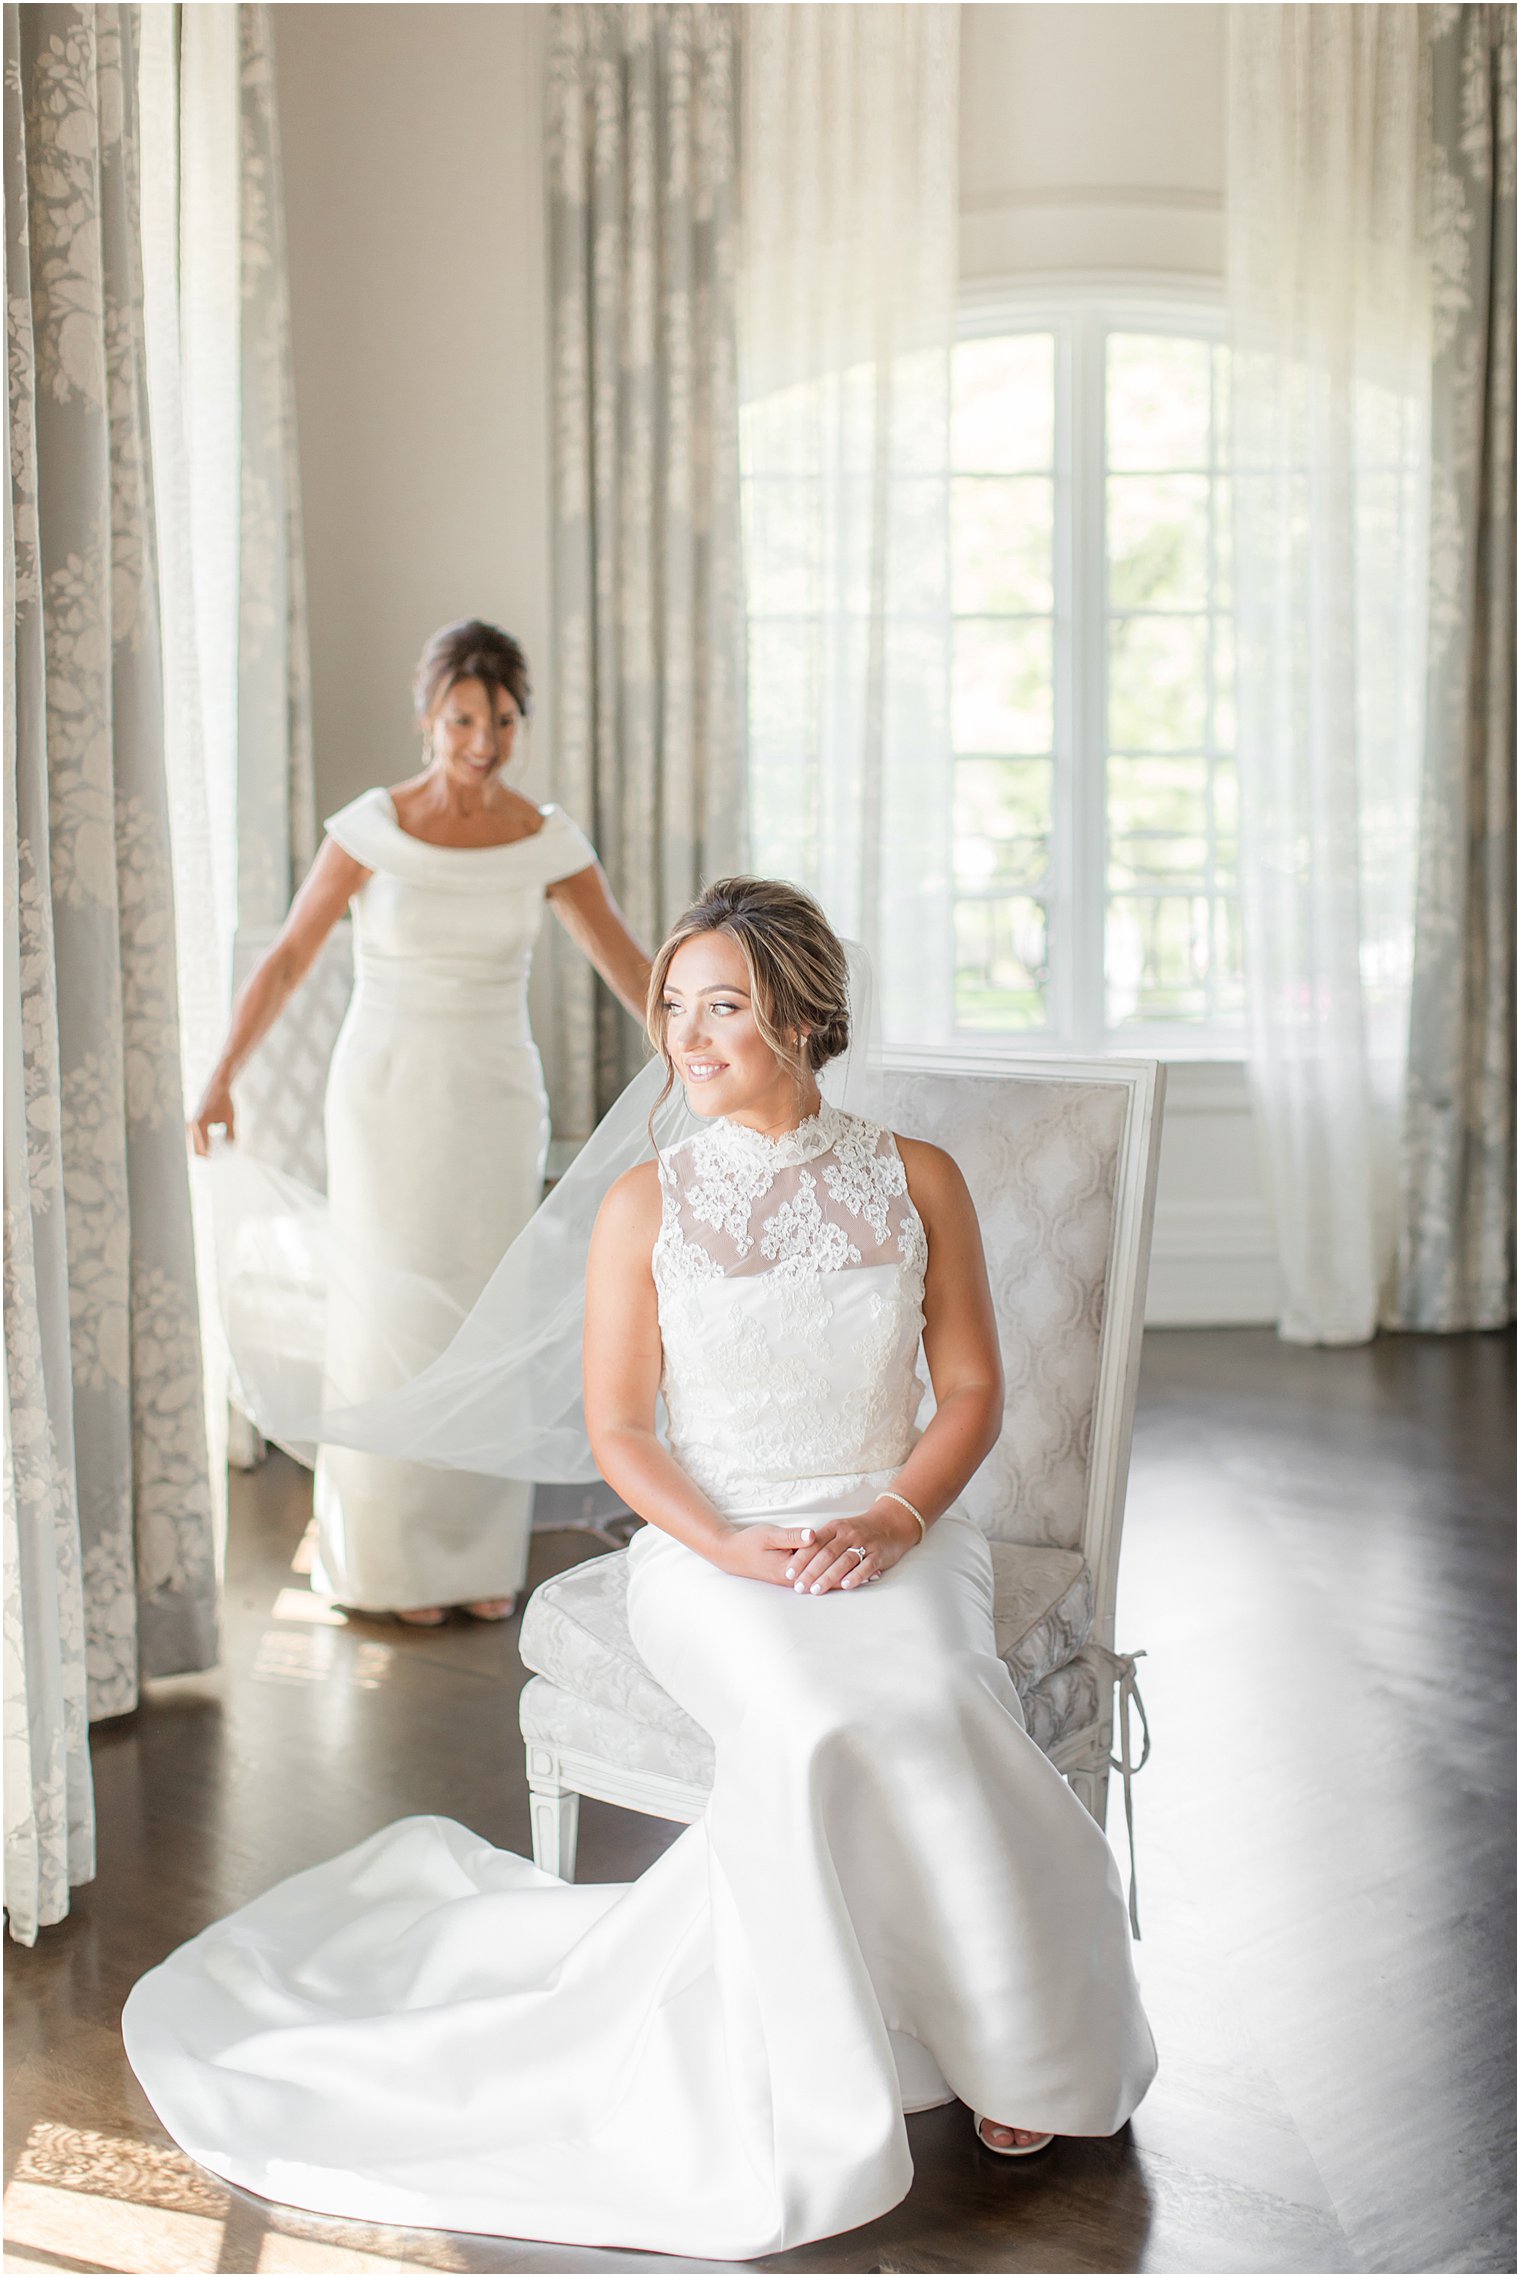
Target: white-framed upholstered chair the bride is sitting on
<point>1061,1162</point>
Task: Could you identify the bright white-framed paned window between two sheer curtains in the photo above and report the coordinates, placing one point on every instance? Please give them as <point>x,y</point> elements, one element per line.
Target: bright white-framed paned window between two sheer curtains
<point>1096,784</point>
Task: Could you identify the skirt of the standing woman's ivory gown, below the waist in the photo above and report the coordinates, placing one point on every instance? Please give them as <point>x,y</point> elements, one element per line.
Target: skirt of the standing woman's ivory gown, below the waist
<point>438,1133</point>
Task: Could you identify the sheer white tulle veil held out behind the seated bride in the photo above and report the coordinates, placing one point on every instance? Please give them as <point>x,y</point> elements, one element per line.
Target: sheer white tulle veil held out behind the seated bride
<point>504,1397</point>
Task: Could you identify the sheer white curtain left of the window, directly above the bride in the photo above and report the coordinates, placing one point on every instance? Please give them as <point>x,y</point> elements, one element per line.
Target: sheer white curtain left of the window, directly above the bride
<point>848,311</point>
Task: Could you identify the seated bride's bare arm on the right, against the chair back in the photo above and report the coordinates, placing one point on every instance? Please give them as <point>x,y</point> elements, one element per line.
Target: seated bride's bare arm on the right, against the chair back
<point>964,1367</point>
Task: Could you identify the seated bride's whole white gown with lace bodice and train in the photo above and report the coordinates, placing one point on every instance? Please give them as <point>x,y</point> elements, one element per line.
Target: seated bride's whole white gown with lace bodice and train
<point>893,1896</point>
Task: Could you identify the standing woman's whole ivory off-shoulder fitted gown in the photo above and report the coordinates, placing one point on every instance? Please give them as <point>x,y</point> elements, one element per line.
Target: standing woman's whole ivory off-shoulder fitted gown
<point>438,1131</point>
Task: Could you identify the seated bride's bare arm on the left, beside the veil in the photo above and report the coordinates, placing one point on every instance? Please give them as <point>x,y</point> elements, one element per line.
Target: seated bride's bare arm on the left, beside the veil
<point>622,1383</point>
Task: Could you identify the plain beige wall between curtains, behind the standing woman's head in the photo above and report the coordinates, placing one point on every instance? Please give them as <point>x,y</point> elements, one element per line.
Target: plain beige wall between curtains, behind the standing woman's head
<point>415,213</point>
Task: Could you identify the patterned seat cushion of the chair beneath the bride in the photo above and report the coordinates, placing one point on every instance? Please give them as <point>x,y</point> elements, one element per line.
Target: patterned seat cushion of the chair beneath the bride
<point>577,1636</point>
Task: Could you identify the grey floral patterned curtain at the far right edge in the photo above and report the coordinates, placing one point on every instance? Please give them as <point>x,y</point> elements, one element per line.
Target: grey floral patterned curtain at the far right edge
<point>1457,1240</point>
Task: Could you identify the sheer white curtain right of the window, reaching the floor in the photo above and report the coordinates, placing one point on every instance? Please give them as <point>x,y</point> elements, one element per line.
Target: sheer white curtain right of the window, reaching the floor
<point>1330,443</point>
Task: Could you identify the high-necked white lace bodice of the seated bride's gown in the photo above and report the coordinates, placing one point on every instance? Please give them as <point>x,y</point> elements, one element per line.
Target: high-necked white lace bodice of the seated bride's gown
<point>791,1281</point>
